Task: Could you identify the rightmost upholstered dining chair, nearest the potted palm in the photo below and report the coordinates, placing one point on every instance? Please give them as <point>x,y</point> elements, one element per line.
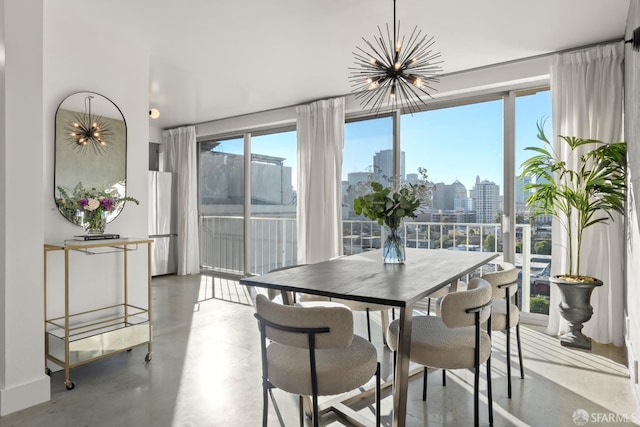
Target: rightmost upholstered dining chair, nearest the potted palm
<point>505,310</point>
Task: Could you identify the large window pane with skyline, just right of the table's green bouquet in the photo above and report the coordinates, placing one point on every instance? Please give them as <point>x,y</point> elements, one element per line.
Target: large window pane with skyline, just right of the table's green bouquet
<point>460,148</point>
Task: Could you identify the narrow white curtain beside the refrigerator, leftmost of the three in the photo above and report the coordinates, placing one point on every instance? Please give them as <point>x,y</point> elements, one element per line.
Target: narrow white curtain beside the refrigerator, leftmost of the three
<point>182,155</point>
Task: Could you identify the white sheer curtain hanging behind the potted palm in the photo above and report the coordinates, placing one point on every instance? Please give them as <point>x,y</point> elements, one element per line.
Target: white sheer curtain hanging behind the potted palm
<point>587,101</point>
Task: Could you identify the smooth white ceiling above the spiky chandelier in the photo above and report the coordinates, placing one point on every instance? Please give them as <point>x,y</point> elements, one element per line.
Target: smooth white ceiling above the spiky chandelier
<point>211,59</point>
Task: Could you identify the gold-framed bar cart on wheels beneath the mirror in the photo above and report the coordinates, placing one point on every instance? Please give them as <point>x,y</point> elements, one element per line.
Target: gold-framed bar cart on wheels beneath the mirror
<point>78,338</point>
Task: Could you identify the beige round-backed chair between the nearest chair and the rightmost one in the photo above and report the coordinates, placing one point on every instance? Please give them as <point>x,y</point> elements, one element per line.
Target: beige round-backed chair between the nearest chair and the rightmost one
<point>456,339</point>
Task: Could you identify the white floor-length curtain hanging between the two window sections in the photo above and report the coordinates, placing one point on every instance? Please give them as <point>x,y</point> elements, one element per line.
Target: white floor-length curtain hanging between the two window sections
<point>320,129</point>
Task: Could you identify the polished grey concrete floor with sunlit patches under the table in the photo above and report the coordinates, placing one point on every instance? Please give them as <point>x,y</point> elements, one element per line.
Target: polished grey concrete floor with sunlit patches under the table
<point>206,371</point>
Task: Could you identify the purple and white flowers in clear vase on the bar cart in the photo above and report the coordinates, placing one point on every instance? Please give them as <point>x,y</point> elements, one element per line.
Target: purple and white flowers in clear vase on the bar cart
<point>89,206</point>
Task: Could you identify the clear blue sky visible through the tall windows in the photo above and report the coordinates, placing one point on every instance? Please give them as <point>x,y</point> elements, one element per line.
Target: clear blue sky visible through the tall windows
<point>456,143</point>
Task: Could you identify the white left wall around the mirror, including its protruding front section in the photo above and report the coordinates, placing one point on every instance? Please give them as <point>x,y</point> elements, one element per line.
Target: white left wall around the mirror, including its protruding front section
<point>73,58</point>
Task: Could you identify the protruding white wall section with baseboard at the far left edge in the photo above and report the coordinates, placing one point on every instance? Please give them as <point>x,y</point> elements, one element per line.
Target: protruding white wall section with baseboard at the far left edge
<point>22,376</point>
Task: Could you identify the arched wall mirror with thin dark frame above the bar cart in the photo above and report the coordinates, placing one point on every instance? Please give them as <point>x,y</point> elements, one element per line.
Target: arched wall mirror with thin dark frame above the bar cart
<point>90,155</point>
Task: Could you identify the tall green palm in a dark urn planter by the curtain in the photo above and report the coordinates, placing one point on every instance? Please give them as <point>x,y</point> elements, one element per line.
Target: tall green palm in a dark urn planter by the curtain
<point>580,194</point>
